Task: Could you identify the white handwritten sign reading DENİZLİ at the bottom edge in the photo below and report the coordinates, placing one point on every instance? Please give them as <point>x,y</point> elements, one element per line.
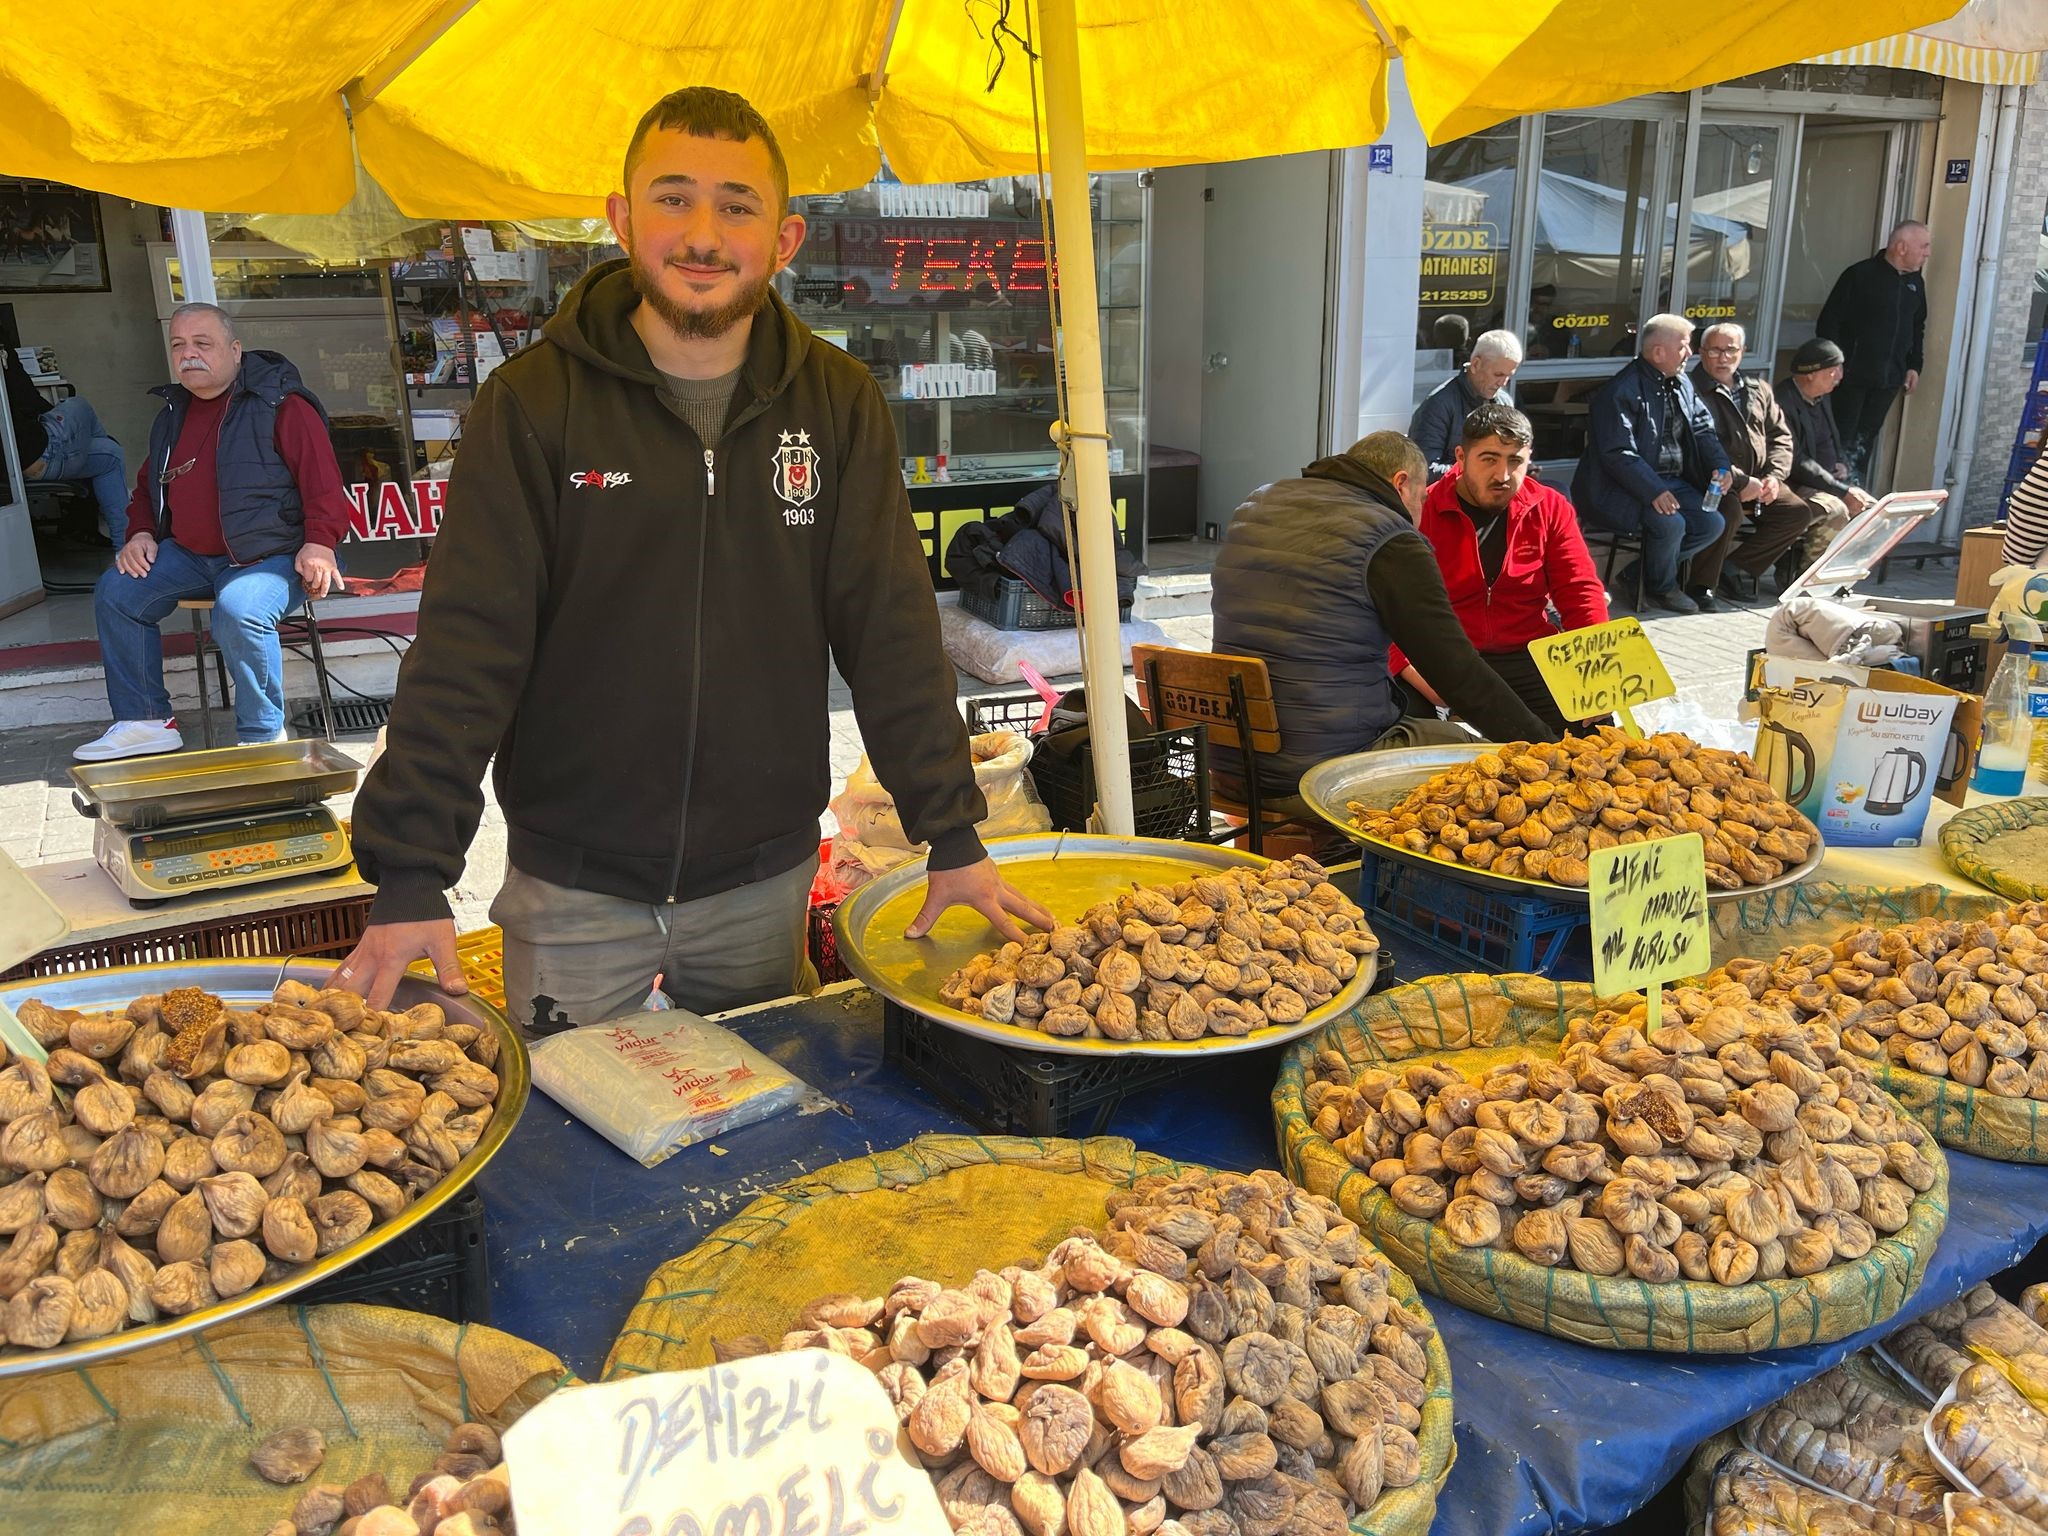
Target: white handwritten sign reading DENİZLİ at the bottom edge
<point>781,1445</point>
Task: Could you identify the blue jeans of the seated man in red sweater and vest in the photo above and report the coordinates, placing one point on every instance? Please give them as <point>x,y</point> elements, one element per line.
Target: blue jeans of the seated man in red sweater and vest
<point>249,603</point>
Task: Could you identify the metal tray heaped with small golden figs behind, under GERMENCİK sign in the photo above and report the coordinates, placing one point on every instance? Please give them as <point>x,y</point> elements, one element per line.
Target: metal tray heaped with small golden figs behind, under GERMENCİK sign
<point>1531,812</point>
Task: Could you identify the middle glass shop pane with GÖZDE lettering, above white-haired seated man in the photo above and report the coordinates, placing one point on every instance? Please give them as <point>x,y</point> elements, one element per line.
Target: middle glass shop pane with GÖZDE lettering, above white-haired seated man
<point>1594,234</point>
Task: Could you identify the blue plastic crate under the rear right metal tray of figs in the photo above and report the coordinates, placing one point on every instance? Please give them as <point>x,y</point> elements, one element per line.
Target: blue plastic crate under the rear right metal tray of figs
<point>1451,925</point>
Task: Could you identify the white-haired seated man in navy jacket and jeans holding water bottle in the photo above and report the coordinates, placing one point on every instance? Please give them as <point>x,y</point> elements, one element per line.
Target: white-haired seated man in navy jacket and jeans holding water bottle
<point>1650,460</point>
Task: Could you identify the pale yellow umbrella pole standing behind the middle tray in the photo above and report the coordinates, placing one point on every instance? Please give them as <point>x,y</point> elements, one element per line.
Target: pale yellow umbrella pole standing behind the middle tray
<point>1080,353</point>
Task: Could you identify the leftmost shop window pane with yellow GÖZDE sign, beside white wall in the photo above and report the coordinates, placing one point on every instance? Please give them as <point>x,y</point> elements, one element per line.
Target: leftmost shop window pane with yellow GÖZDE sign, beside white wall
<point>1467,220</point>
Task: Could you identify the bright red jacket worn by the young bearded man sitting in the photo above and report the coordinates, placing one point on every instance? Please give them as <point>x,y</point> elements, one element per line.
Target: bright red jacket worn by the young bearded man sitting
<point>1547,562</point>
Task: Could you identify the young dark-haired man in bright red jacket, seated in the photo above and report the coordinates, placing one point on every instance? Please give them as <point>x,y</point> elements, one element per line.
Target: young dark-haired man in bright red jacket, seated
<point>1510,552</point>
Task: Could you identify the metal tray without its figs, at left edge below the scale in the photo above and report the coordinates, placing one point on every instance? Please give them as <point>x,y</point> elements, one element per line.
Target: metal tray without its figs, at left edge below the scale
<point>253,982</point>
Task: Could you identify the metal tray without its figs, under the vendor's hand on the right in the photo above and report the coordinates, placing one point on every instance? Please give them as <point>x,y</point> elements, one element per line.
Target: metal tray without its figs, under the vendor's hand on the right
<point>1068,873</point>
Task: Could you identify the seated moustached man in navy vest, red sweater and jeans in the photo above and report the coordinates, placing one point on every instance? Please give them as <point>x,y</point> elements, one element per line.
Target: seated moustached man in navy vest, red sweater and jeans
<point>241,503</point>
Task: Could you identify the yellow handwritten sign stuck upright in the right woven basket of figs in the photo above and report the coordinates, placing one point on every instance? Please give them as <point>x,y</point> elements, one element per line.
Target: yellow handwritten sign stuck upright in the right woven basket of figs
<point>1650,916</point>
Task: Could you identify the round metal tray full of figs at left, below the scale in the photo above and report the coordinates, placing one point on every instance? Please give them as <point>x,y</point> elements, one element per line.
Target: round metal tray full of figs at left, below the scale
<point>206,1138</point>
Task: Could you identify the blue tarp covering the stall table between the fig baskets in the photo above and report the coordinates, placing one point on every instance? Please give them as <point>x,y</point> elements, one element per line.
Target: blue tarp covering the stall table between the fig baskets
<point>1551,1437</point>
